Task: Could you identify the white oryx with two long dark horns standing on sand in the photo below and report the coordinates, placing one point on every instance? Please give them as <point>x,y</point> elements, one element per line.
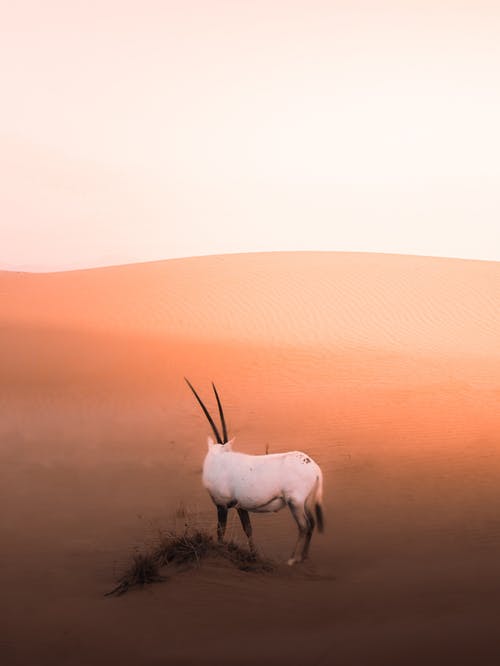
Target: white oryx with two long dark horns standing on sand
<point>261,483</point>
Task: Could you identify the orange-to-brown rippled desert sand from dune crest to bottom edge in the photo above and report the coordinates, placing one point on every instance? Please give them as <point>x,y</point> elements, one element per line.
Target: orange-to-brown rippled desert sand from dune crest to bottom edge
<point>385,369</point>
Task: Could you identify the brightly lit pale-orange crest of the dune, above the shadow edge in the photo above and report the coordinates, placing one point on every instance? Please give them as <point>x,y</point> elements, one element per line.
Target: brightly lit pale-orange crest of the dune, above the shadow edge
<point>420,304</point>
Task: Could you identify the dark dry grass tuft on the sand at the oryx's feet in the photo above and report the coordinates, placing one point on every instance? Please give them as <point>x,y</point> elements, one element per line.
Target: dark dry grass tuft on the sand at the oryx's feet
<point>185,550</point>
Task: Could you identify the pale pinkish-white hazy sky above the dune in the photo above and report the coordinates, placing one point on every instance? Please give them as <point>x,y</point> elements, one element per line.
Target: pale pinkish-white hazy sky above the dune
<point>135,131</point>
